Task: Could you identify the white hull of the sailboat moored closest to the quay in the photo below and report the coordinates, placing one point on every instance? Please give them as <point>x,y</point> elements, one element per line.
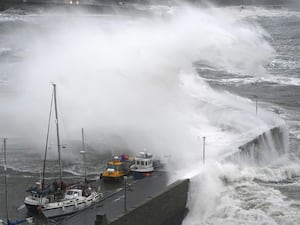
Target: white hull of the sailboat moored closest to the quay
<point>69,206</point>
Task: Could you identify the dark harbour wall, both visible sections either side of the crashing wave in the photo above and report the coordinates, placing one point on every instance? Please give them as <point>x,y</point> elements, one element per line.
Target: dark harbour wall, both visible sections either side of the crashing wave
<point>170,205</point>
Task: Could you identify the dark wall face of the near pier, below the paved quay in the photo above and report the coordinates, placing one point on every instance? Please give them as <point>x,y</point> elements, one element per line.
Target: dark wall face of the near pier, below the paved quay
<point>166,208</point>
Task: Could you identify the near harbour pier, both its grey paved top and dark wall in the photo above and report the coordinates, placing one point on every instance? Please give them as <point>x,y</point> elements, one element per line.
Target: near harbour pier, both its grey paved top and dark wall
<point>147,201</point>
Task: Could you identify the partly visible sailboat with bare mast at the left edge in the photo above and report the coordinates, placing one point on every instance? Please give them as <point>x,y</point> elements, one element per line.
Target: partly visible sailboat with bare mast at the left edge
<point>8,221</point>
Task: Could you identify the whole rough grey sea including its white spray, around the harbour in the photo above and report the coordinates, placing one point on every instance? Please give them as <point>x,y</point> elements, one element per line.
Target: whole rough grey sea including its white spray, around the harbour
<point>158,81</point>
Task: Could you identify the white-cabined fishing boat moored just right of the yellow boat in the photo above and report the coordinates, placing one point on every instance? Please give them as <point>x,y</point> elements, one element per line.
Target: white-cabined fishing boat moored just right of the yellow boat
<point>143,163</point>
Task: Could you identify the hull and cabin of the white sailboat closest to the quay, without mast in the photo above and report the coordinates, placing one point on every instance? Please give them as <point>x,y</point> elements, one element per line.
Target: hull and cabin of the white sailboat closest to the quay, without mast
<point>76,198</point>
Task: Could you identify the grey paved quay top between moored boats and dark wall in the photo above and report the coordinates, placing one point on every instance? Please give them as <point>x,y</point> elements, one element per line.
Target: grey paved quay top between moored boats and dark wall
<point>113,203</point>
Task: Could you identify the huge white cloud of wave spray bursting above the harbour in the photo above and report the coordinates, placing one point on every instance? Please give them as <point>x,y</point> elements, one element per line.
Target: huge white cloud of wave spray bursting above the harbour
<point>134,77</point>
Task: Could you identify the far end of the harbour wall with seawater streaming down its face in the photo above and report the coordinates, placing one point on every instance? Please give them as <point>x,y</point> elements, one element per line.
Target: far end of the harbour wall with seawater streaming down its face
<point>264,148</point>
